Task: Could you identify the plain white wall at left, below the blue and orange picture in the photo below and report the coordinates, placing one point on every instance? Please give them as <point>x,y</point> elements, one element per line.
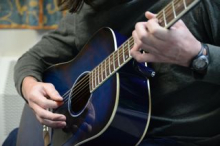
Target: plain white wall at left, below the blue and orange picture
<point>13,43</point>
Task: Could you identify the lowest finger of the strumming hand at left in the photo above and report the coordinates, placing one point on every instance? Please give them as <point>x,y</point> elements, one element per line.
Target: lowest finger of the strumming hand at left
<point>53,124</point>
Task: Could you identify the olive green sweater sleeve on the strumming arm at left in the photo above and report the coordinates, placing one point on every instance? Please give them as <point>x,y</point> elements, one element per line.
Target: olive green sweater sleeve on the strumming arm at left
<point>55,47</point>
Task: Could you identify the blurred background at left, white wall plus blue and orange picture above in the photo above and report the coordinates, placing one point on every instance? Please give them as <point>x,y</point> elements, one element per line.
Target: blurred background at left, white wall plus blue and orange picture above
<point>22,24</point>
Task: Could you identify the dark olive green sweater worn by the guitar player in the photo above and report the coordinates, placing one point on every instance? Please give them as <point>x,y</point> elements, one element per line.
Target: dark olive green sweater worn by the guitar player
<point>183,106</point>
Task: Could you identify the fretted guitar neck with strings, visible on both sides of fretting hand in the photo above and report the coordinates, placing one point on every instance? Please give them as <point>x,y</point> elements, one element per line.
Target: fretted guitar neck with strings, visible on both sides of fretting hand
<point>166,18</point>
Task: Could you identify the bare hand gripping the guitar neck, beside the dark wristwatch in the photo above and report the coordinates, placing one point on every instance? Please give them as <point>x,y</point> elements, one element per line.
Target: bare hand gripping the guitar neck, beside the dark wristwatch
<point>176,45</point>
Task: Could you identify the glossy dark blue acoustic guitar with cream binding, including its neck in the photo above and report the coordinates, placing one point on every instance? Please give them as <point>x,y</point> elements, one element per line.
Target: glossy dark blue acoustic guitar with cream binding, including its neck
<point>106,95</point>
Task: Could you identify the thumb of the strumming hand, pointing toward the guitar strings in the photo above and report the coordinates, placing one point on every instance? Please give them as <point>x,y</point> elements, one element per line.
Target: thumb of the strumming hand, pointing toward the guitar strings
<point>52,92</point>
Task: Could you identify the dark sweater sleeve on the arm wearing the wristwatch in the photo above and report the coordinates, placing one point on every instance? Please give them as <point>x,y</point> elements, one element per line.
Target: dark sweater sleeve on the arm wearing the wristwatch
<point>205,25</point>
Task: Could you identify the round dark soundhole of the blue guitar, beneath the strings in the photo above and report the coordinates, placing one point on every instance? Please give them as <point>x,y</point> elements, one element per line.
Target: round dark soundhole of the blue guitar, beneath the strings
<point>79,95</point>
